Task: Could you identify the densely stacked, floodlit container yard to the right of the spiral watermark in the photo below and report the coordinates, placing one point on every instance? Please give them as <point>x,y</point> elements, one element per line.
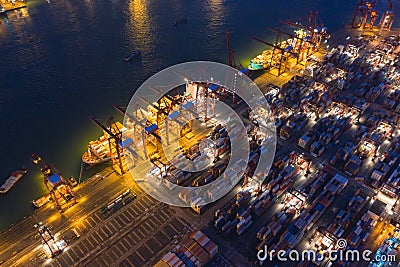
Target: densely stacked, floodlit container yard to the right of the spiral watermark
<point>348,138</point>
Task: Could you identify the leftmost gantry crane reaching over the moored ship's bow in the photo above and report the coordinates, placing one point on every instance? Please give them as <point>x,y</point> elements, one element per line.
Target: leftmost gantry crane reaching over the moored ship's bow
<point>114,135</point>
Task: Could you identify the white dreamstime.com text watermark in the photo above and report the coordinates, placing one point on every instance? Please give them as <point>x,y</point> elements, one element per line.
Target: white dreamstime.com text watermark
<point>340,253</point>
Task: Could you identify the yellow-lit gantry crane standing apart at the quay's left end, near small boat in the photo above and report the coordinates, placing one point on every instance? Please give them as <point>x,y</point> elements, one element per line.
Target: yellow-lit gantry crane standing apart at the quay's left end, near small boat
<point>60,191</point>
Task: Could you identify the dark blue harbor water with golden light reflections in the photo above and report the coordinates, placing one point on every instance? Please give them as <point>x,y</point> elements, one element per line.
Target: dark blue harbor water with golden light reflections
<point>61,62</point>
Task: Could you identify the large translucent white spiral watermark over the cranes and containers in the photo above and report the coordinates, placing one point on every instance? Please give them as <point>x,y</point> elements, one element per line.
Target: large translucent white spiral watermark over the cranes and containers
<point>194,91</point>
